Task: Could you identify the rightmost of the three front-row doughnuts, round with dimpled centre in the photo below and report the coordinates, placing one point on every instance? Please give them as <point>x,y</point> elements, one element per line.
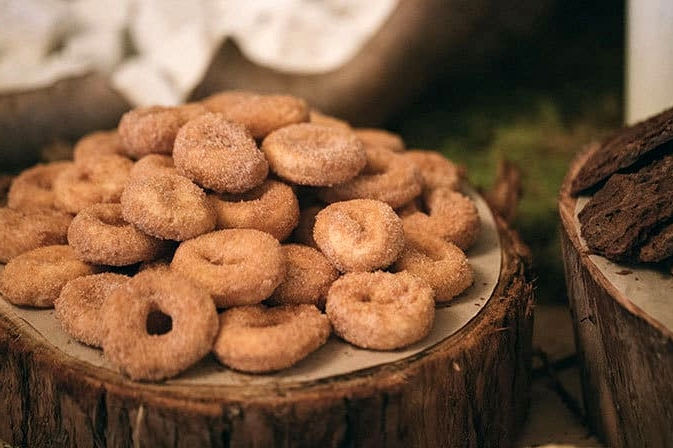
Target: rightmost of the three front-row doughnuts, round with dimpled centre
<point>380,310</point>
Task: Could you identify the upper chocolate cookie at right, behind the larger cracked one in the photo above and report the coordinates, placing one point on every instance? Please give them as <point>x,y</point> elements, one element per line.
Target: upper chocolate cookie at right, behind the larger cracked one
<point>624,149</point>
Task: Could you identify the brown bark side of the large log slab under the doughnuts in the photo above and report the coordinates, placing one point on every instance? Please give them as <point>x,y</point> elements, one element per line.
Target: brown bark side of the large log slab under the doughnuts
<point>471,390</point>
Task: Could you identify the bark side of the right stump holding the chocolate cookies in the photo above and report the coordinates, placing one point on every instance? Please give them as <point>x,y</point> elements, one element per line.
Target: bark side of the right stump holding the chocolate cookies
<point>626,355</point>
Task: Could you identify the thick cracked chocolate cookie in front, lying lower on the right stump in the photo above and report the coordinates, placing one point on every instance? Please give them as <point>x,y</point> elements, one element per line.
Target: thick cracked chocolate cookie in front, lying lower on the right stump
<point>625,212</point>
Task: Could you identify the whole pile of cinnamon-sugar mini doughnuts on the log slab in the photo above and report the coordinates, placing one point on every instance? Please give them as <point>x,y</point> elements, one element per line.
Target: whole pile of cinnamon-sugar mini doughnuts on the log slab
<point>246,225</point>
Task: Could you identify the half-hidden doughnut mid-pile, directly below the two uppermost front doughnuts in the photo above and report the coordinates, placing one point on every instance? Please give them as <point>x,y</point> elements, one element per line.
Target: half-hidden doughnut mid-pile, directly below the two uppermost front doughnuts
<point>271,207</point>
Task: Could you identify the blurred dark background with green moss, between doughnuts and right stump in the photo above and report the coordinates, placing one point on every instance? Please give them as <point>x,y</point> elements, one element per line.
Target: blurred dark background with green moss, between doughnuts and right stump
<point>536,105</point>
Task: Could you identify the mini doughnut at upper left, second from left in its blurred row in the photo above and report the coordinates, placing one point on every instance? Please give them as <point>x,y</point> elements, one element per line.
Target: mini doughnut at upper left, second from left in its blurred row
<point>102,180</point>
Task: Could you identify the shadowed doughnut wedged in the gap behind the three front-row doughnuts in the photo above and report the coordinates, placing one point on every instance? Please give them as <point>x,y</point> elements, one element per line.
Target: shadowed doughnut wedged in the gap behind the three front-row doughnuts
<point>308,277</point>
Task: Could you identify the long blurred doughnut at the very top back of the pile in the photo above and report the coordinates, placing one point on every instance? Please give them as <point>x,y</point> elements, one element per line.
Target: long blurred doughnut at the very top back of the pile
<point>259,113</point>
